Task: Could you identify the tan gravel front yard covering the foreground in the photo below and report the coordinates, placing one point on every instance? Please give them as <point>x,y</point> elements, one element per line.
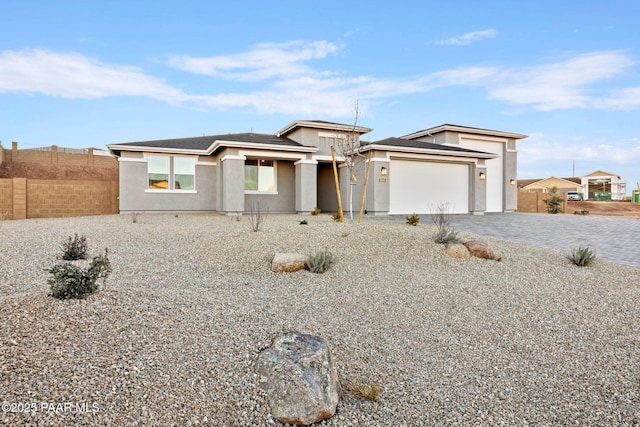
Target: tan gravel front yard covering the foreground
<point>171,338</point>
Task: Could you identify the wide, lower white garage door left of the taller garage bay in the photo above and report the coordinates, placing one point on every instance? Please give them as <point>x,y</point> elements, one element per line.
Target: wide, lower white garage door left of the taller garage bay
<point>421,186</point>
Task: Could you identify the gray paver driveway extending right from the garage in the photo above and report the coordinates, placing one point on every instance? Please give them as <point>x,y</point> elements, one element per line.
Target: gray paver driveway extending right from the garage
<point>614,239</point>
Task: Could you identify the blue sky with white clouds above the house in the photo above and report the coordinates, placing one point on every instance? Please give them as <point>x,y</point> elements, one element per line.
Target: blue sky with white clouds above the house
<point>566,73</point>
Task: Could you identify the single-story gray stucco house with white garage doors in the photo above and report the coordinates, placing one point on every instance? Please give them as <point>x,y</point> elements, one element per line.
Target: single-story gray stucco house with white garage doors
<point>470,170</point>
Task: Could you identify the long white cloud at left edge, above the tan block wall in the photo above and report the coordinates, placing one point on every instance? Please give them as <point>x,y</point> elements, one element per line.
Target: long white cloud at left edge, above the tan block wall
<point>71,75</point>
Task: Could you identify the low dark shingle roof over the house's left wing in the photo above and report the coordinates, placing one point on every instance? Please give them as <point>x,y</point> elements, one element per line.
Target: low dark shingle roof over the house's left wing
<point>202,143</point>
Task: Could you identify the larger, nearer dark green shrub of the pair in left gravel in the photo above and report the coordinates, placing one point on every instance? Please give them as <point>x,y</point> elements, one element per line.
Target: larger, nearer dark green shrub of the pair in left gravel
<point>71,281</point>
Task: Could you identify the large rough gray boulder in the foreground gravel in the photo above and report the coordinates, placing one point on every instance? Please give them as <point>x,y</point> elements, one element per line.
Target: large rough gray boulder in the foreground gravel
<point>299,378</point>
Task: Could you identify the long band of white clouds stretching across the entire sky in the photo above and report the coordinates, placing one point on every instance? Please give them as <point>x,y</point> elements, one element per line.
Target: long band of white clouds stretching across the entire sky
<point>284,80</point>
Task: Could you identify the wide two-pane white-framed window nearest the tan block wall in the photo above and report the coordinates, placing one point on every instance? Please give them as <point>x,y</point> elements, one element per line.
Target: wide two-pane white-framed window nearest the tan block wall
<point>171,173</point>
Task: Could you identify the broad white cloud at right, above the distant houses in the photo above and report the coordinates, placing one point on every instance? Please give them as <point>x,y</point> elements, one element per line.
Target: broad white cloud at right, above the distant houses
<point>564,84</point>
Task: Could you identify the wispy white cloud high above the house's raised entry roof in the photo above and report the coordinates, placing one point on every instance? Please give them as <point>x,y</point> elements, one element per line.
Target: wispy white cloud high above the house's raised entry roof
<point>265,61</point>
